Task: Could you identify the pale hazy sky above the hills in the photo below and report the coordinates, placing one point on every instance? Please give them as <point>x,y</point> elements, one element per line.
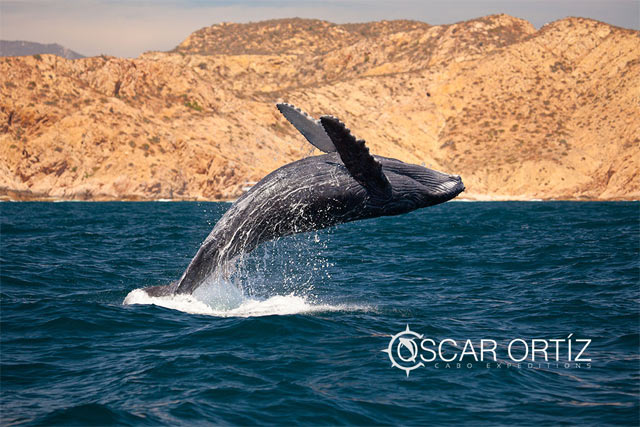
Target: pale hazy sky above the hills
<point>130,27</point>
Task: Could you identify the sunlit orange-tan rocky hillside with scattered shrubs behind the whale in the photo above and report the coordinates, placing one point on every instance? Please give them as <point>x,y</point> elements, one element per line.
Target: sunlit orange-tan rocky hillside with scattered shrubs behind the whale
<point>519,113</point>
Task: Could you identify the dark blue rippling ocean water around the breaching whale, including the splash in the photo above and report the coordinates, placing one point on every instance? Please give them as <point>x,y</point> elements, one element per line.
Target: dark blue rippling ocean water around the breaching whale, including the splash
<point>296,335</point>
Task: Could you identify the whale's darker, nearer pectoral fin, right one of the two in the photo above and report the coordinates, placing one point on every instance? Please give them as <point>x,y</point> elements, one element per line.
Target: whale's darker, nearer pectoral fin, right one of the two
<point>356,158</point>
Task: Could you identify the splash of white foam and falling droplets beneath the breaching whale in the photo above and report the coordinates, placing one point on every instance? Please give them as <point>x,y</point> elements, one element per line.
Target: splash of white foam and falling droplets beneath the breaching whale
<point>278,278</point>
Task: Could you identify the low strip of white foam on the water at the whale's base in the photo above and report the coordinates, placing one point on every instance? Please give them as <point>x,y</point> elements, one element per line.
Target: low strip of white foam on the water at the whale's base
<point>279,305</point>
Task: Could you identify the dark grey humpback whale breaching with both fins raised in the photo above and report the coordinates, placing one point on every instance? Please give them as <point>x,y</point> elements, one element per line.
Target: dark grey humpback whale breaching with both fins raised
<point>345,184</point>
